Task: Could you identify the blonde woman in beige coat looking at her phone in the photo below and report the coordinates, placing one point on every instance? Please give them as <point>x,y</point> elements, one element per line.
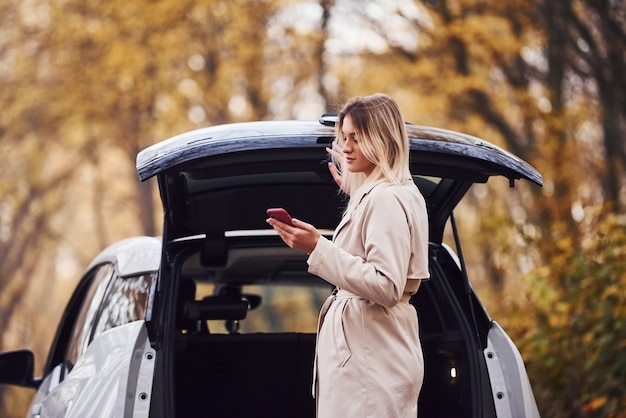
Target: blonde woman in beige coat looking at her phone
<point>369,358</point>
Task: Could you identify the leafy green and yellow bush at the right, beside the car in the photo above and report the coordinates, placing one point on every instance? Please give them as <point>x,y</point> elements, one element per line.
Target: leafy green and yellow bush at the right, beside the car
<point>575,343</point>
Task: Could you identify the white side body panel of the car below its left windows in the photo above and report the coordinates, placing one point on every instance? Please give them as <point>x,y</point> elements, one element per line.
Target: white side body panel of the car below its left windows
<point>112,378</point>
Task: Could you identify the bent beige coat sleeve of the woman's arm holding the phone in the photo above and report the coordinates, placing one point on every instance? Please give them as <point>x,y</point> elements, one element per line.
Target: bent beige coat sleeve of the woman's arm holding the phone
<point>379,276</point>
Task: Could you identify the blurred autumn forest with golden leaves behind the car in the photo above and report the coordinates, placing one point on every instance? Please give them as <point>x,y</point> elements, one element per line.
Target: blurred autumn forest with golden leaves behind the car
<point>86,84</point>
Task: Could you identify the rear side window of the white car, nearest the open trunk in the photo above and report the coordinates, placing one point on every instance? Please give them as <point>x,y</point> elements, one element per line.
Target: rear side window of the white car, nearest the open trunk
<point>126,301</point>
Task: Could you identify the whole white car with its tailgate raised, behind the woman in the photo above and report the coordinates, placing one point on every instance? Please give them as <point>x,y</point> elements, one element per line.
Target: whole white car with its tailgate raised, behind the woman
<point>217,317</point>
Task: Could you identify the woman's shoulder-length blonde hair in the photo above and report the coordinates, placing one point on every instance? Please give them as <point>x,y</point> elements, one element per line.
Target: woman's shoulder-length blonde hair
<point>379,124</point>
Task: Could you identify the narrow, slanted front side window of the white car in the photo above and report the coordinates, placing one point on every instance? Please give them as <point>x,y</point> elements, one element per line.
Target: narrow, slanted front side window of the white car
<point>84,321</point>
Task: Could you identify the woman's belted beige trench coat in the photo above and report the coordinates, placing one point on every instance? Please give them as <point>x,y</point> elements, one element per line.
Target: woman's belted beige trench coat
<point>369,360</point>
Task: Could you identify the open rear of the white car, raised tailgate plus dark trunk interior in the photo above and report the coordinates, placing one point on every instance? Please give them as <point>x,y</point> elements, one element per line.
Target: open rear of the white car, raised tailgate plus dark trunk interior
<point>234,318</point>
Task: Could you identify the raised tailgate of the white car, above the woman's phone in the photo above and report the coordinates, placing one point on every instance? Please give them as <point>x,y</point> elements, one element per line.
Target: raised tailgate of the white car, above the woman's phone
<point>222,178</point>
